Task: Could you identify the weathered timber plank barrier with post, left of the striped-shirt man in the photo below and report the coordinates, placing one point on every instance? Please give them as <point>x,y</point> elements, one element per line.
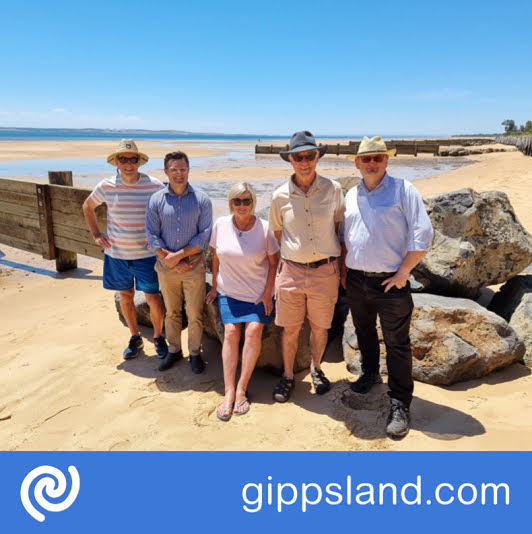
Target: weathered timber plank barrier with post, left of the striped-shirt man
<point>48,219</point>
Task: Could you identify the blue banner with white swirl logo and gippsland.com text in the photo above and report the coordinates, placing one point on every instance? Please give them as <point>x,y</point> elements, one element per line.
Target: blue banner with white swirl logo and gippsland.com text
<point>133,492</point>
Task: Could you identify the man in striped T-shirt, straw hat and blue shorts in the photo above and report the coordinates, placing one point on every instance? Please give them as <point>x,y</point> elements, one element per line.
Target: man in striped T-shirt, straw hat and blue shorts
<point>128,262</point>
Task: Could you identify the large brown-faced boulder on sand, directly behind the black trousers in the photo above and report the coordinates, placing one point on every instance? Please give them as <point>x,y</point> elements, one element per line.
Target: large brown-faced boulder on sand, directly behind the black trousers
<point>452,340</point>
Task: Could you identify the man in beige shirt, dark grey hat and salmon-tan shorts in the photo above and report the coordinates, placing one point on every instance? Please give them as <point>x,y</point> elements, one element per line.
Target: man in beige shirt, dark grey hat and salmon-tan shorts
<point>305,214</point>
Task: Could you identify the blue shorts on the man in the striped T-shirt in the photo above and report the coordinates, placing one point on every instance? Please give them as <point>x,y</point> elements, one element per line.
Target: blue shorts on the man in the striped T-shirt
<point>121,275</point>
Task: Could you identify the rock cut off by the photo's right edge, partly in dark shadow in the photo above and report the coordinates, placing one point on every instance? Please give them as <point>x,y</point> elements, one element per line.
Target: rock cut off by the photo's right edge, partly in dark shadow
<point>513,302</point>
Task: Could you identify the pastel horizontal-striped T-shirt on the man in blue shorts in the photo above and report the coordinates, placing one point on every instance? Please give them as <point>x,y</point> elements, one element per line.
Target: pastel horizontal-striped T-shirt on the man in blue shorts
<point>126,214</point>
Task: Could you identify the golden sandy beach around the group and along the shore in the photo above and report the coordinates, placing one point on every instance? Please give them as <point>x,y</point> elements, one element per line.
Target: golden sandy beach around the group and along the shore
<point>65,385</point>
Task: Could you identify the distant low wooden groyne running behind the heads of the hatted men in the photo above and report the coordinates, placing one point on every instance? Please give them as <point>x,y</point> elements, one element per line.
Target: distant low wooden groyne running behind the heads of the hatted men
<point>403,146</point>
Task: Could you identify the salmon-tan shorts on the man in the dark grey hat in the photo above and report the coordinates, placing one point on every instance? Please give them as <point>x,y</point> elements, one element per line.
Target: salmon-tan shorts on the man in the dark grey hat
<point>299,288</point>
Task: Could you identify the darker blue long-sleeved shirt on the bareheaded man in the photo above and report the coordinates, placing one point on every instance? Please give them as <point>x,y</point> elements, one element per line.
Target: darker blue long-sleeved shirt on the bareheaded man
<point>175,221</point>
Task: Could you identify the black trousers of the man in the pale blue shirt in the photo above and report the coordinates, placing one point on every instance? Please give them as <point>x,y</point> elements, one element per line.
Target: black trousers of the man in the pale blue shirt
<point>367,299</point>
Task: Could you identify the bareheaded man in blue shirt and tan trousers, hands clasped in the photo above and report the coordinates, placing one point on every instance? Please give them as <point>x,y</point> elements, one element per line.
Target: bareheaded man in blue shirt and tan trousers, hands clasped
<point>178,225</point>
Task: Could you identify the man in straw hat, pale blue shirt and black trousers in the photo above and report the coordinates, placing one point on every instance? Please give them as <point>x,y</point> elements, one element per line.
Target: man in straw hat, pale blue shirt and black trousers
<point>387,232</point>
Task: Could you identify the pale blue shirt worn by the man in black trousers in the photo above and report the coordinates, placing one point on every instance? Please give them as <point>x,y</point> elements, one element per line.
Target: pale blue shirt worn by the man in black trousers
<point>382,225</point>
